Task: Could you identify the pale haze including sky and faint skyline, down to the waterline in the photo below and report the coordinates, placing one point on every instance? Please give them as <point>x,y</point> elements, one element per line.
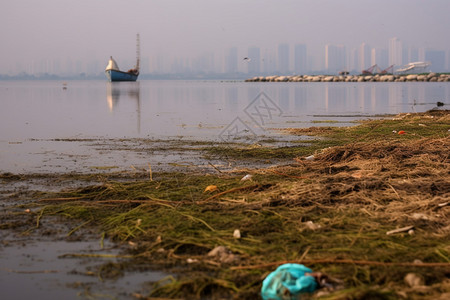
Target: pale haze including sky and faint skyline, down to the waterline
<point>71,37</point>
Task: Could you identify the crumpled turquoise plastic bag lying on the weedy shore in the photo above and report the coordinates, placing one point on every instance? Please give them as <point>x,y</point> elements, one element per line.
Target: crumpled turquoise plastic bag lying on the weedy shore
<point>287,282</point>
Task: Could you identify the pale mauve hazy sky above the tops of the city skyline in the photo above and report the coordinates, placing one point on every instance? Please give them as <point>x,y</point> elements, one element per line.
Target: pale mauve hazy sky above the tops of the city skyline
<point>95,29</point>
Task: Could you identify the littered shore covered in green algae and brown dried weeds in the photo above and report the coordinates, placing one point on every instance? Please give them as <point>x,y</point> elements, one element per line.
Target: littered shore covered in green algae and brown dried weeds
<point>364,208</point>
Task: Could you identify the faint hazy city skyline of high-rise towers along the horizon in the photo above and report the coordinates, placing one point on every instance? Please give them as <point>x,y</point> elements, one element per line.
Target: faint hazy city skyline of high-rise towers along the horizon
<point>284,59</point>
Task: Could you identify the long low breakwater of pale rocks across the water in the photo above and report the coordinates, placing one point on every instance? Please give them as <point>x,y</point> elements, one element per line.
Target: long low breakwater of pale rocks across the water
<point>430,77</point>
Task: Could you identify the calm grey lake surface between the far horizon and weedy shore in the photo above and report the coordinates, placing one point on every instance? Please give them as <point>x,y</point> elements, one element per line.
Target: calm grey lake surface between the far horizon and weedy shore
<point>41,119</point>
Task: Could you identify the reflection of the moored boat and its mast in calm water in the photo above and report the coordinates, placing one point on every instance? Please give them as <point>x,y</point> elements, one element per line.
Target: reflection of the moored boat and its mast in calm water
<point>128,91</point>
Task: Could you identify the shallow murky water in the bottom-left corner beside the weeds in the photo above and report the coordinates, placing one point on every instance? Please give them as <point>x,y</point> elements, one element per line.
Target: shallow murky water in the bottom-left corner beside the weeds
<point>36,270</point>
